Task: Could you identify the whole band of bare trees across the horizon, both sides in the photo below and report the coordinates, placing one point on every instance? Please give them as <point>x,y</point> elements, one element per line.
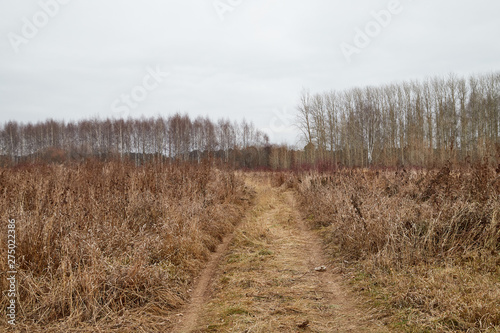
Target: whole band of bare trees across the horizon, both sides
<point>413,123</point>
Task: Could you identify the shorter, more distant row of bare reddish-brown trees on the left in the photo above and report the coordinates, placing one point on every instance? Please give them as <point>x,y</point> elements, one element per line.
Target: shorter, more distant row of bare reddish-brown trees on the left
<point>177,137</point>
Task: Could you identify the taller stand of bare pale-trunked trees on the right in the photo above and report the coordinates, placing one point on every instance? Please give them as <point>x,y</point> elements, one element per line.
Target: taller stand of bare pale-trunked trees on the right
<point>417,123</point>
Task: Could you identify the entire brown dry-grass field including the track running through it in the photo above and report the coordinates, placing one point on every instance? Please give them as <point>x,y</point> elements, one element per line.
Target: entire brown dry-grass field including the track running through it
<point>112,247</point>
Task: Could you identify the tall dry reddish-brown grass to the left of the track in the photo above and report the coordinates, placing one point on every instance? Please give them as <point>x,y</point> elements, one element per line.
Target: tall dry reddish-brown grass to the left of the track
<point>111,246</point>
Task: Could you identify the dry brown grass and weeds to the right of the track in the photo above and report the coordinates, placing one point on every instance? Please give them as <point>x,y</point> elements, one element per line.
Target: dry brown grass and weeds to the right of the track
<point>423,244</point>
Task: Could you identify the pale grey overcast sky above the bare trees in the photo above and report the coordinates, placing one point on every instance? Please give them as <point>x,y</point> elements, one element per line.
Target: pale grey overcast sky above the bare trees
<point>77,59</point>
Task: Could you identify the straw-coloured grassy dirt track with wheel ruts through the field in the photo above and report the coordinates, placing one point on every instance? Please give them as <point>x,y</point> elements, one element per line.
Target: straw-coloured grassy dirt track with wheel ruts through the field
<point>263,278</point>
